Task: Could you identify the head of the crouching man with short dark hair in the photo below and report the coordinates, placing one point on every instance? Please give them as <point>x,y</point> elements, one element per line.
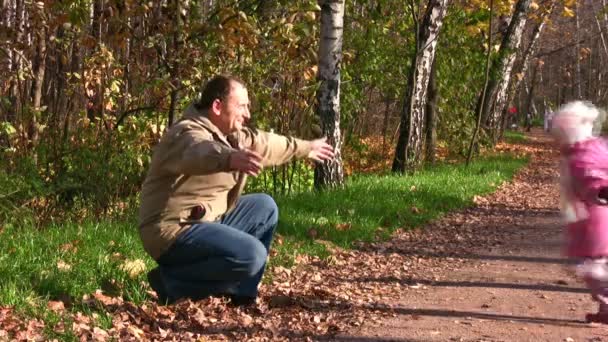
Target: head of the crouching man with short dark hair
<point>226,102</point>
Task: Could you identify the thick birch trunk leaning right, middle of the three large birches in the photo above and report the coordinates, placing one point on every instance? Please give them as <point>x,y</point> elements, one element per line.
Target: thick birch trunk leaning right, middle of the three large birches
<point>411,136</point>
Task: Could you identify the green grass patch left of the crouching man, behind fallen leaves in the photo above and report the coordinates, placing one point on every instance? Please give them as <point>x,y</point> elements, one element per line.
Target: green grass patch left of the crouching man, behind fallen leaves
<point>66,262</point>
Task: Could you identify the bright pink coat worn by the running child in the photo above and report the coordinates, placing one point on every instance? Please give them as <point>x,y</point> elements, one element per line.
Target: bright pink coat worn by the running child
<point>587,163</point>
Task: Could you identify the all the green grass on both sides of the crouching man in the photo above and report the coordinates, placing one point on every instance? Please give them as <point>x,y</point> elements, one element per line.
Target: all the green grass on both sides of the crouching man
<point>72,260</point>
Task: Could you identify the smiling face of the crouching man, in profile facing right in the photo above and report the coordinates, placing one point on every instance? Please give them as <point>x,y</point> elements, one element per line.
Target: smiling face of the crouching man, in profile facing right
<point>234,110</point>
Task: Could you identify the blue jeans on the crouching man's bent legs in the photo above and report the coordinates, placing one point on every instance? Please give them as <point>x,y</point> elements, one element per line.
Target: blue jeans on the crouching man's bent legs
<point>225,257</point>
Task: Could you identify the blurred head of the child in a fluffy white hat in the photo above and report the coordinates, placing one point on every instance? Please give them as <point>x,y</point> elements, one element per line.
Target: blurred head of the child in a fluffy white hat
<point>574,122</point>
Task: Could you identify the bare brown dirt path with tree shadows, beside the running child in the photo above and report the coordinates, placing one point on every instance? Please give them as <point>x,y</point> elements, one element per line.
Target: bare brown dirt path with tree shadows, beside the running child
<point>517,287</point>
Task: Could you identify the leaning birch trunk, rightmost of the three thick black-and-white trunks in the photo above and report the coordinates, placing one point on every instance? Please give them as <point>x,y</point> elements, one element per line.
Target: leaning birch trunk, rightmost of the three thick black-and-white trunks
<point>501,70</point>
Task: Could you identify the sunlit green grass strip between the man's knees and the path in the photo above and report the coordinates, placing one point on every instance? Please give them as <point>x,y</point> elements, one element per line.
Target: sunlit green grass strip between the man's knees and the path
<point>371,207</point>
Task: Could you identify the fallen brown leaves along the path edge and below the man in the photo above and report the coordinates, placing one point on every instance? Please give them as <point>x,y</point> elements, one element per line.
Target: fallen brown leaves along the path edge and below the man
<point>315,299</point>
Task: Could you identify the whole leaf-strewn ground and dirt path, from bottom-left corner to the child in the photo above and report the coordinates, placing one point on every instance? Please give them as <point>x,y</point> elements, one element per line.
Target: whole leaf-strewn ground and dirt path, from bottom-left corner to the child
<point>491,272</point>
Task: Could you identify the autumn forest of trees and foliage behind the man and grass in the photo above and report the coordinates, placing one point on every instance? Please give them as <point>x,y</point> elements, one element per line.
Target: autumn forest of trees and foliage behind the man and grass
<point>88,87</point>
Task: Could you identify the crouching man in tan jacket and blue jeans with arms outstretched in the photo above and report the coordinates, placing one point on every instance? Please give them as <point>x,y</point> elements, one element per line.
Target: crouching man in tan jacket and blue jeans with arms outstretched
<point>206,238</point>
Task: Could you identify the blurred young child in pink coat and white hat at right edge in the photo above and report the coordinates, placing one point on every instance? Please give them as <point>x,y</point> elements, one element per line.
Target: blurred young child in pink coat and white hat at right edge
<point>584,195</point>
